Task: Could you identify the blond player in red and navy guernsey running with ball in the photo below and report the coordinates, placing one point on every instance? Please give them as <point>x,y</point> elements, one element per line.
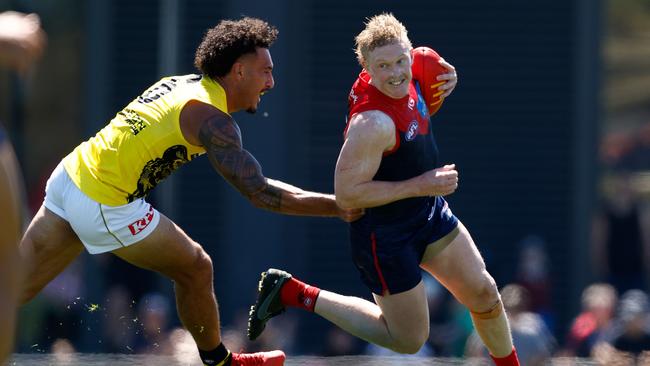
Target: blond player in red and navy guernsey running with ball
<point>388,165</point>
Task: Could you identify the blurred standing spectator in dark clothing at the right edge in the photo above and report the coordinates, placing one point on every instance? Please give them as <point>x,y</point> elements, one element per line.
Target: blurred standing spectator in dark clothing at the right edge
<point>621,243</point>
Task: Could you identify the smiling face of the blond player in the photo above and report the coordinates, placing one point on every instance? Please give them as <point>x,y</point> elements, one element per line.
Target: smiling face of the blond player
<point>390,69</point>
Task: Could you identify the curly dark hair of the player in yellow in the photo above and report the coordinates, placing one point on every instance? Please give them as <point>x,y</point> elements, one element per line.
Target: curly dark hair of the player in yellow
<point>228,40</point>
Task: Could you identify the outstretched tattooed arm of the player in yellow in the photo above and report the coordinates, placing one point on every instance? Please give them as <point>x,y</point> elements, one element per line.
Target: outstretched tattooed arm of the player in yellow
<point>221,137</point>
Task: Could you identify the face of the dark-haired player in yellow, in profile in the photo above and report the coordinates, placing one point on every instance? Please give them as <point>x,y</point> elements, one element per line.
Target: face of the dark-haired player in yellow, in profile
<point>257,78</point>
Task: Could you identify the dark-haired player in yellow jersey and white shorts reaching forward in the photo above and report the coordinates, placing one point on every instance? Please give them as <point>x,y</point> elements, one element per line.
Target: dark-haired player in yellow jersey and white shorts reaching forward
<point>96,197</point>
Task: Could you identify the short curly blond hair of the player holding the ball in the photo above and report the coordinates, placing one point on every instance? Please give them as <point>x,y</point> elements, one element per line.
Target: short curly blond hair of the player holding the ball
<point>380,30</point>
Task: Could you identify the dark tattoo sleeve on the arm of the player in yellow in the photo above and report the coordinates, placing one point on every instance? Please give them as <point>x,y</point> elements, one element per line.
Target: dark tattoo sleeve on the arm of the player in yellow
<point>221,138</point>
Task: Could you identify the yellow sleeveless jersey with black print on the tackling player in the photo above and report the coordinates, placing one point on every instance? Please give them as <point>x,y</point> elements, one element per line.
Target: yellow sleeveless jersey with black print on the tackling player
<point>143,144</point>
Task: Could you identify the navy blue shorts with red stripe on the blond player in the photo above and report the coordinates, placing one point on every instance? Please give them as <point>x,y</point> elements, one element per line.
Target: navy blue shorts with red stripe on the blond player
<point>388,256</point>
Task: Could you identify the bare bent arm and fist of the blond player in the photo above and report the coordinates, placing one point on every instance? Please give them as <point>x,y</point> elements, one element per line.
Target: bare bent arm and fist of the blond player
<point>369,135</point>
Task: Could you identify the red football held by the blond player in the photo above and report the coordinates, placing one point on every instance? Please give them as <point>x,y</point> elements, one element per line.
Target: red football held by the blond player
<point>425,69</point>
